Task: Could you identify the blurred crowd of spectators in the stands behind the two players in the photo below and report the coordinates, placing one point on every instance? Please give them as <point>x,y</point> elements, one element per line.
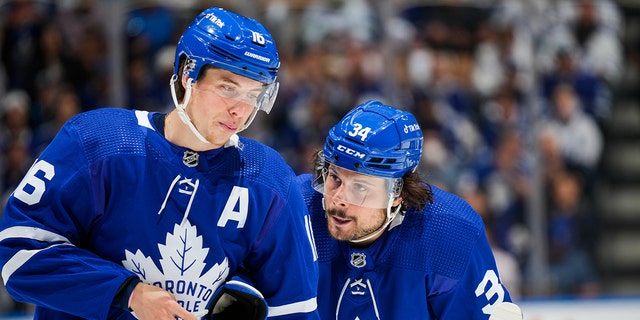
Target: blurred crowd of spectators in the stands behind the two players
<point>505,91</point>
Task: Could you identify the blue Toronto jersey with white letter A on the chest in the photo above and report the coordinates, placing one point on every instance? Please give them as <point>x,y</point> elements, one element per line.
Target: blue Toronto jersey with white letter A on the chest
<point>111,198</point>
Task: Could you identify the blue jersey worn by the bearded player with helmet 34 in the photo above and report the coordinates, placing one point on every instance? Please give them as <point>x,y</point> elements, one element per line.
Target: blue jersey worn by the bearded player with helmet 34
<point>431,264</point>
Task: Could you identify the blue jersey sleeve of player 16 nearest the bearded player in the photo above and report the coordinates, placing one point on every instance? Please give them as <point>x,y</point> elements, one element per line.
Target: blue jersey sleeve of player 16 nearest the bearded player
<point>288,272</point>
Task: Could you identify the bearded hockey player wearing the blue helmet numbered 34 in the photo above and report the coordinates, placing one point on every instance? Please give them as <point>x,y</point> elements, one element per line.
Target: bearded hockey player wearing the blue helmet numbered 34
<point>390,245</point>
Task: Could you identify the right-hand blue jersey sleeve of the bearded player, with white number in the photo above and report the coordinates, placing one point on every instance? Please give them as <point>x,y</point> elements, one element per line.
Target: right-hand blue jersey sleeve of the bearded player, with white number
<point>473,296</point>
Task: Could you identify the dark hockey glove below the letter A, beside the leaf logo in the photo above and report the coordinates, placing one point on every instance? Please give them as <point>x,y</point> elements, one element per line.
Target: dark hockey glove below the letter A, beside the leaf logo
<point>237,300</point>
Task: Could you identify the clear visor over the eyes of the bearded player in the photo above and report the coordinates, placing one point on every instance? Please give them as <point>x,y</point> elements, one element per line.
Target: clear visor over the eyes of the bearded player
<point>358,189</point>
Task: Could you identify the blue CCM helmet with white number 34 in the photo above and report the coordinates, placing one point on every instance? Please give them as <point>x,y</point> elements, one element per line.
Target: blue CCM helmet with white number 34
<point>376,140</point>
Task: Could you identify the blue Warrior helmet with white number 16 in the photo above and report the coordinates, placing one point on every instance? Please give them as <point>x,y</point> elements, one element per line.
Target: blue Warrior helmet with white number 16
<point>229,41</point>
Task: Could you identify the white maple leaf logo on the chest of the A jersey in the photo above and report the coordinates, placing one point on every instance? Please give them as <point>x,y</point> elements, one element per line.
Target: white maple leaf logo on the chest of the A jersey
<point>182,267</point>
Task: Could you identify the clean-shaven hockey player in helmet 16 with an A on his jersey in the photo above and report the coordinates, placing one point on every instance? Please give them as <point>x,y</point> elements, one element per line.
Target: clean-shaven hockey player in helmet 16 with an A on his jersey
<point>129,214</point>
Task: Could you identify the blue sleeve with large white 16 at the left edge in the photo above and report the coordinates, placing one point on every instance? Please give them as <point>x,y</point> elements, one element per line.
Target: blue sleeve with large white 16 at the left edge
<point>43,230</point>
